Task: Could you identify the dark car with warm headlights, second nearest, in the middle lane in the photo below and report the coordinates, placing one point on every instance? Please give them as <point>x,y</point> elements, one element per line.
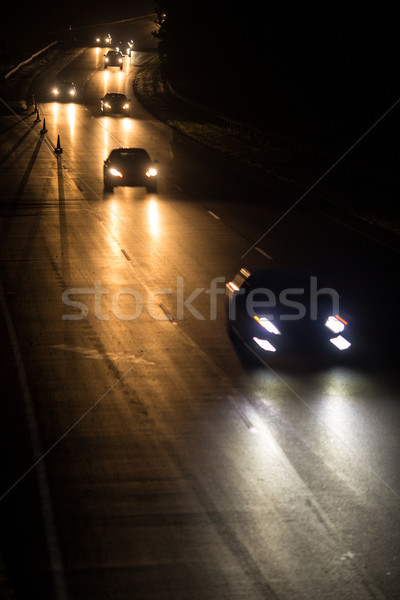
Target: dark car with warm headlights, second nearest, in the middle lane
<point>130,167</point>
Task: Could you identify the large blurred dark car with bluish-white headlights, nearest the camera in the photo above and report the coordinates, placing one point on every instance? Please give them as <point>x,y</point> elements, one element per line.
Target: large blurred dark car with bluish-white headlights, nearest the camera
<point>287,313</point>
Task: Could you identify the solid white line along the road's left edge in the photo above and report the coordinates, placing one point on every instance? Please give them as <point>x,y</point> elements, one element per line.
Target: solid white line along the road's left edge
<point>53,546</point>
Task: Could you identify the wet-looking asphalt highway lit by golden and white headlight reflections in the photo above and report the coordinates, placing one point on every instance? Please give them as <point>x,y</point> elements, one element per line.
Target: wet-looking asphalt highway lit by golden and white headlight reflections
<point>145,454</point>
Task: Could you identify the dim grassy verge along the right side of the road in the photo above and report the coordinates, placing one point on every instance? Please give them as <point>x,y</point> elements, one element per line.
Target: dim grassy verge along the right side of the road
<point>341,184</point>
